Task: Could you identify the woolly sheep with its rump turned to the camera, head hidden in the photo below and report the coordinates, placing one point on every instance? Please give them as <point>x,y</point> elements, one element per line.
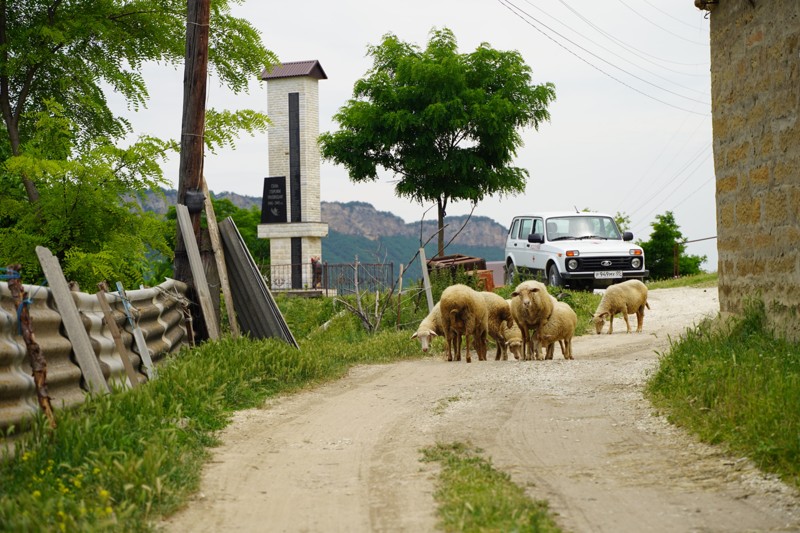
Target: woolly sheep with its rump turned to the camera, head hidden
<point>464,312</point>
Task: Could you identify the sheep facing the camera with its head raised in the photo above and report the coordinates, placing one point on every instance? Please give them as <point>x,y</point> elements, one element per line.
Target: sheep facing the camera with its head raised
<point>531,306</point>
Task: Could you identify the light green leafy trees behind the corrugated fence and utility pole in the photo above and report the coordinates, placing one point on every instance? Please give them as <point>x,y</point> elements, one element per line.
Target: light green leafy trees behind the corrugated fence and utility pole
<point>64,176</point>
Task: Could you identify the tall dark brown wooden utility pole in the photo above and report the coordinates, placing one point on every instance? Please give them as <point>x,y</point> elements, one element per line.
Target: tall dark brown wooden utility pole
<point>190,173</point>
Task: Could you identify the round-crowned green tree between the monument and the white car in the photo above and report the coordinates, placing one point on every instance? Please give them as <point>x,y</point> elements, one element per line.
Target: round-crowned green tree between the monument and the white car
<point>447,124</point>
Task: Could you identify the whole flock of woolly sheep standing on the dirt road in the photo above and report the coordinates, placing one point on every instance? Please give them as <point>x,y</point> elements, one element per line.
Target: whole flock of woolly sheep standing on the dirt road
<point>530,321</point>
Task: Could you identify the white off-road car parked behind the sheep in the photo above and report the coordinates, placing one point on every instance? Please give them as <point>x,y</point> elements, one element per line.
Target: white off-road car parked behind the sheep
<point>575,250</point>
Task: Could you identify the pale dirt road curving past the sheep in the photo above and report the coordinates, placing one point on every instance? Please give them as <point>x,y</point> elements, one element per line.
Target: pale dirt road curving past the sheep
<point>579,434</point>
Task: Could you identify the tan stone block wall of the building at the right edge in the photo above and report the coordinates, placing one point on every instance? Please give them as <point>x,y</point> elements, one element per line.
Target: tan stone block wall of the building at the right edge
<point>755,85</point>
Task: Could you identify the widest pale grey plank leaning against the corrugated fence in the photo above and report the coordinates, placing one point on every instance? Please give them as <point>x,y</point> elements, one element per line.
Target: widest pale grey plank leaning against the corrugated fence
<point>70,317</point>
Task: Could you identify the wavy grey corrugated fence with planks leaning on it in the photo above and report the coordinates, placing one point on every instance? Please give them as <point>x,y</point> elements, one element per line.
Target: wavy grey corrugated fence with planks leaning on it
<point>159,311</point>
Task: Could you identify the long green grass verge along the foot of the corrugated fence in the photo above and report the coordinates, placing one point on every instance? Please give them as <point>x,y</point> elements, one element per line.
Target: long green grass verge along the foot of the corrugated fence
<point>118,462</point>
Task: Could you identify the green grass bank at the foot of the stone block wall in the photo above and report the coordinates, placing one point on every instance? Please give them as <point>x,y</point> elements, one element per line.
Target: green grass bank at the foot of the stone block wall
<point>738,386</point>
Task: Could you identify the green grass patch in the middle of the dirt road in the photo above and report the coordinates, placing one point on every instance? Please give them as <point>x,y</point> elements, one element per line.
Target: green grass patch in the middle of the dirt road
<point>473,496</point>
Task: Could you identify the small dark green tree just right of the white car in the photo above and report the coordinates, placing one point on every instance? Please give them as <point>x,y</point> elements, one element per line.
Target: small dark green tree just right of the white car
<point>660,250</point>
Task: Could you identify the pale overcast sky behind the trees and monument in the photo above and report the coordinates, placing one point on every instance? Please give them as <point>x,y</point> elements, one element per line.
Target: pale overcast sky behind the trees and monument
<point>630,129</point>
